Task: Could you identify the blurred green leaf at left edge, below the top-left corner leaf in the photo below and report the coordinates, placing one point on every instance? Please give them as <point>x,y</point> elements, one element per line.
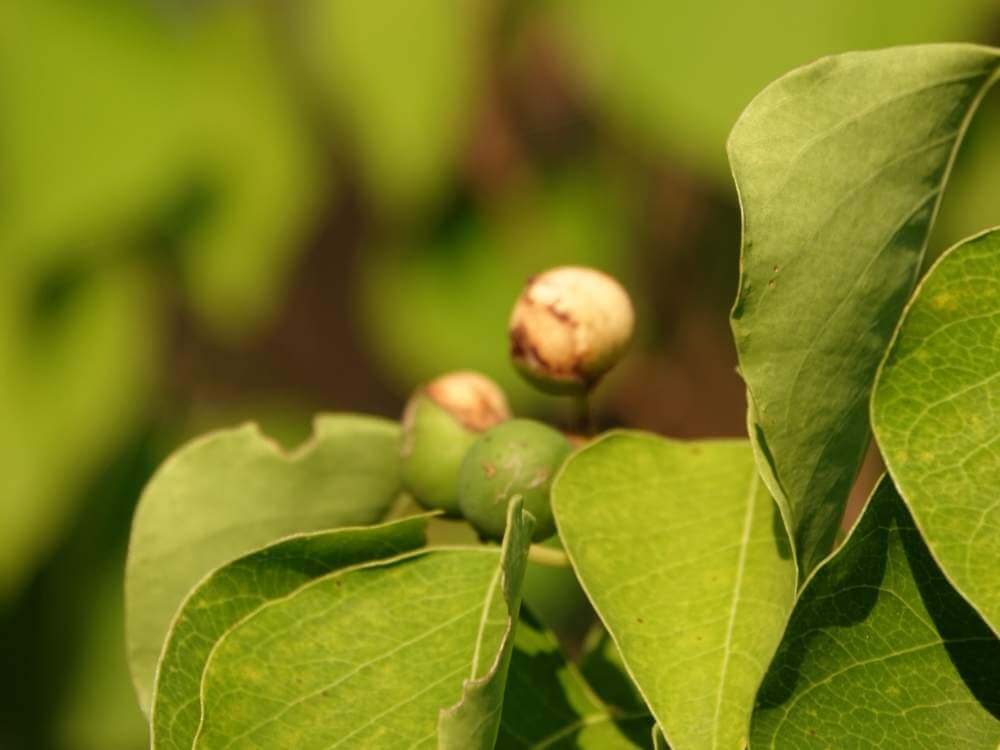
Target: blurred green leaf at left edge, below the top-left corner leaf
<point>74,372</point>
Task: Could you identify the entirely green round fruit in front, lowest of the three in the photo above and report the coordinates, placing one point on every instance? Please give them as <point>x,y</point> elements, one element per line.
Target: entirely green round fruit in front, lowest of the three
<point>519,457</point>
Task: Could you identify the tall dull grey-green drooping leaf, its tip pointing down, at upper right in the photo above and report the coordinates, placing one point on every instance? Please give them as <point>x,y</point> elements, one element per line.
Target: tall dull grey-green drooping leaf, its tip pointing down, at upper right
<point>840,168</point>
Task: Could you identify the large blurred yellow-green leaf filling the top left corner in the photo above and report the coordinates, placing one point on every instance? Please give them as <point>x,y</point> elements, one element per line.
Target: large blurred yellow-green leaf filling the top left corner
<point>114,114</point>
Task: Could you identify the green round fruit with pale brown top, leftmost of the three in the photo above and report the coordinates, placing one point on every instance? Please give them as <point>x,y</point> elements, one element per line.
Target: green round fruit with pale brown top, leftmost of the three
<point>441,422</point>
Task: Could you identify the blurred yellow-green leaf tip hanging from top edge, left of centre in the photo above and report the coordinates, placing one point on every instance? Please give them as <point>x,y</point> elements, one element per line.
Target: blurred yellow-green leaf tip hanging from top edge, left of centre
<point>402,79</point>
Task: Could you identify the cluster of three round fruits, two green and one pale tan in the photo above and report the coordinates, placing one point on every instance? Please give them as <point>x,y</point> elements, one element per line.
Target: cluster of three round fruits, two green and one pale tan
<point>462,453</point>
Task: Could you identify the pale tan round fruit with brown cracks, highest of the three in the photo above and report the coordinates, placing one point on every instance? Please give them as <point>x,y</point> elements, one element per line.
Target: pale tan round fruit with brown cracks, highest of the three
<point>569,326</point>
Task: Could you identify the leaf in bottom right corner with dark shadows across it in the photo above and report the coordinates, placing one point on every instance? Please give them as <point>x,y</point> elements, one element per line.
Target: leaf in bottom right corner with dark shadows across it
<point>881,652</point>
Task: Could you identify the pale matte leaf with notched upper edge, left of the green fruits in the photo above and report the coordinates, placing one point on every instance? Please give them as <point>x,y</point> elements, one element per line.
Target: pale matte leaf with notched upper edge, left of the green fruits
<point>233,491</point>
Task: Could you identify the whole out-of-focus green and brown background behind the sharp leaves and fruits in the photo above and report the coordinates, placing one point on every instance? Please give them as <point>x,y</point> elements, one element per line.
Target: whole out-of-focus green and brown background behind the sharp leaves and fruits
<point>216,210</point>
